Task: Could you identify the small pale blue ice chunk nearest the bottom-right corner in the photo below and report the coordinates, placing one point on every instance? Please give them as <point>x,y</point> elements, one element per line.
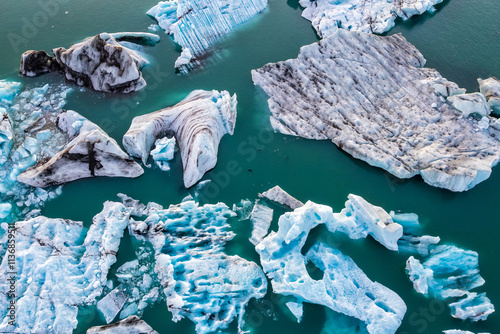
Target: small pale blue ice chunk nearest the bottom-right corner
<point>474,306</point>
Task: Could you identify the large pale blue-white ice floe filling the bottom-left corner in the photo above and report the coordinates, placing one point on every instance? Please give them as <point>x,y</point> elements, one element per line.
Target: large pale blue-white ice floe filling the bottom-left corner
<point>60,266</point>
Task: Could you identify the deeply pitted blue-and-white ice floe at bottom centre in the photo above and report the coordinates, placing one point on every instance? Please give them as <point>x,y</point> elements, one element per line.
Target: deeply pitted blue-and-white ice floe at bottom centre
<point>198,280</point>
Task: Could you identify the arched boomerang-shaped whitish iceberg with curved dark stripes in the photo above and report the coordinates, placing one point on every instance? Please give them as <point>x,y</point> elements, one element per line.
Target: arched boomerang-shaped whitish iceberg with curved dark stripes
<point>198,123</point>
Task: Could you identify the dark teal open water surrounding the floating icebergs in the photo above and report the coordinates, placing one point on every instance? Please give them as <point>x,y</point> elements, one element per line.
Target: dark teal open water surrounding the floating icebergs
<point>461,40</point>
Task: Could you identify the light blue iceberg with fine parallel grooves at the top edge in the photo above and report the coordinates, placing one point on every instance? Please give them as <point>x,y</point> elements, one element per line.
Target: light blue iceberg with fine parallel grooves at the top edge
<point>197,24</point>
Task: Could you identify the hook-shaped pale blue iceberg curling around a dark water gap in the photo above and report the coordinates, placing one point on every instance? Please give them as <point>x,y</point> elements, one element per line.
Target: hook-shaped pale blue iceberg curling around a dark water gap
<point>344,287</point>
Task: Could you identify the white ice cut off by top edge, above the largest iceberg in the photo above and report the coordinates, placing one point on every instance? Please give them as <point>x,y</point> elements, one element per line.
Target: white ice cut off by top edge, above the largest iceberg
<point>371,16</point>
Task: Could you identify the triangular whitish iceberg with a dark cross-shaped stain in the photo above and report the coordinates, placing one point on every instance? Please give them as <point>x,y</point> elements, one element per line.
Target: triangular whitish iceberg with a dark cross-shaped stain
<point>89,152</point>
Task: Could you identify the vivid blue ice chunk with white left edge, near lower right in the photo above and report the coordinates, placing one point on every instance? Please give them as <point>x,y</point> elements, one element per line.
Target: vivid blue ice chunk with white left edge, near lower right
<point>448,272</point>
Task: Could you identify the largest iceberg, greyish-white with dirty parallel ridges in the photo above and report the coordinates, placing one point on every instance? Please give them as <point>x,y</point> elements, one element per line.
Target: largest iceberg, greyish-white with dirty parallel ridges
<point>371,96</point>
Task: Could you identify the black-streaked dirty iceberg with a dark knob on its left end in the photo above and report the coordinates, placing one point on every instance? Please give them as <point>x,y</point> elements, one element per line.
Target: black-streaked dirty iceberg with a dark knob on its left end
<point>106,62</point>
